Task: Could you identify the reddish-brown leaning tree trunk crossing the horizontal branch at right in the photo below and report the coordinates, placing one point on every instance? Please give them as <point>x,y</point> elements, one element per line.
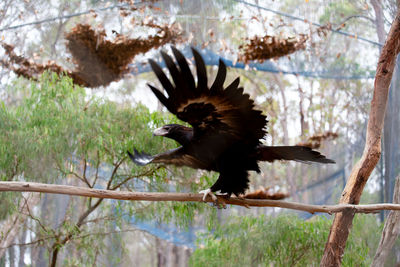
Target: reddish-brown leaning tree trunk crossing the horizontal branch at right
<point>334,248</point>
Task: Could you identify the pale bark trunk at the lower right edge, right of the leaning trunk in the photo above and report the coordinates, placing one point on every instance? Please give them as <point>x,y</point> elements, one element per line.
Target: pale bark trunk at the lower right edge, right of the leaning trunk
<point>390,231</point>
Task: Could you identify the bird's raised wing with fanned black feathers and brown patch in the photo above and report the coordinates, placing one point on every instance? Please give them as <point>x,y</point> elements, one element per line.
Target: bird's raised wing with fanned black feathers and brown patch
<point>217,114</point>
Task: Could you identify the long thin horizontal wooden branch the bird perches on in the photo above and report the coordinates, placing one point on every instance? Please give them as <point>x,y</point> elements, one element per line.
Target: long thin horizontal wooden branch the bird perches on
<point>186,197</point>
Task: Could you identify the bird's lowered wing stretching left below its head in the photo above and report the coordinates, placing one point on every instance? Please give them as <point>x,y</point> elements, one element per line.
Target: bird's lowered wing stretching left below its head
<point>176,156</point>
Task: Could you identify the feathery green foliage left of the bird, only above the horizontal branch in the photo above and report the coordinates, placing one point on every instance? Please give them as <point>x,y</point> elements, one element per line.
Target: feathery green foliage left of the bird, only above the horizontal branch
<point>55,127</point>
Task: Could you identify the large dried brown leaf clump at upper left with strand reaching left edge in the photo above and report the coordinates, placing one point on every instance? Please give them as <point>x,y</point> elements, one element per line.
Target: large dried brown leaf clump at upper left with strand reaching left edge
<point>98,61</point>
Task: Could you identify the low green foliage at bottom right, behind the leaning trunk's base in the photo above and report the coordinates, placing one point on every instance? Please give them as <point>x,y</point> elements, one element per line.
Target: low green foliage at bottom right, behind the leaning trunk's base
<point>281,241</point>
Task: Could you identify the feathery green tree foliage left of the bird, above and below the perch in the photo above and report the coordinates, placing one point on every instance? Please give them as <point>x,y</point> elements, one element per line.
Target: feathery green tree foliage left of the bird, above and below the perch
<point>57,134</point>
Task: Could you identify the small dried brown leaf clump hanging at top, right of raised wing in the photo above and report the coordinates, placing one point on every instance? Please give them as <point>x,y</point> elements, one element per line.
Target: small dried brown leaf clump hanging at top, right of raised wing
<point>267,47</point>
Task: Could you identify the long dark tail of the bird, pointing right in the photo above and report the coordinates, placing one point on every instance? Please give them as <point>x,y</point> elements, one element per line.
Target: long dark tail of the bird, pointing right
<point>296,153</point>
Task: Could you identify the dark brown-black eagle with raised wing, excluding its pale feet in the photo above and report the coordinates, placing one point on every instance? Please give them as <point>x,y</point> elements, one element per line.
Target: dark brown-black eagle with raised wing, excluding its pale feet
<point>226,128</point>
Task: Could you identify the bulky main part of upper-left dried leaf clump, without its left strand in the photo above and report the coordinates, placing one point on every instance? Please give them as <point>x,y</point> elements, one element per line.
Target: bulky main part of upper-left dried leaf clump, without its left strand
<point>100,61</point>
